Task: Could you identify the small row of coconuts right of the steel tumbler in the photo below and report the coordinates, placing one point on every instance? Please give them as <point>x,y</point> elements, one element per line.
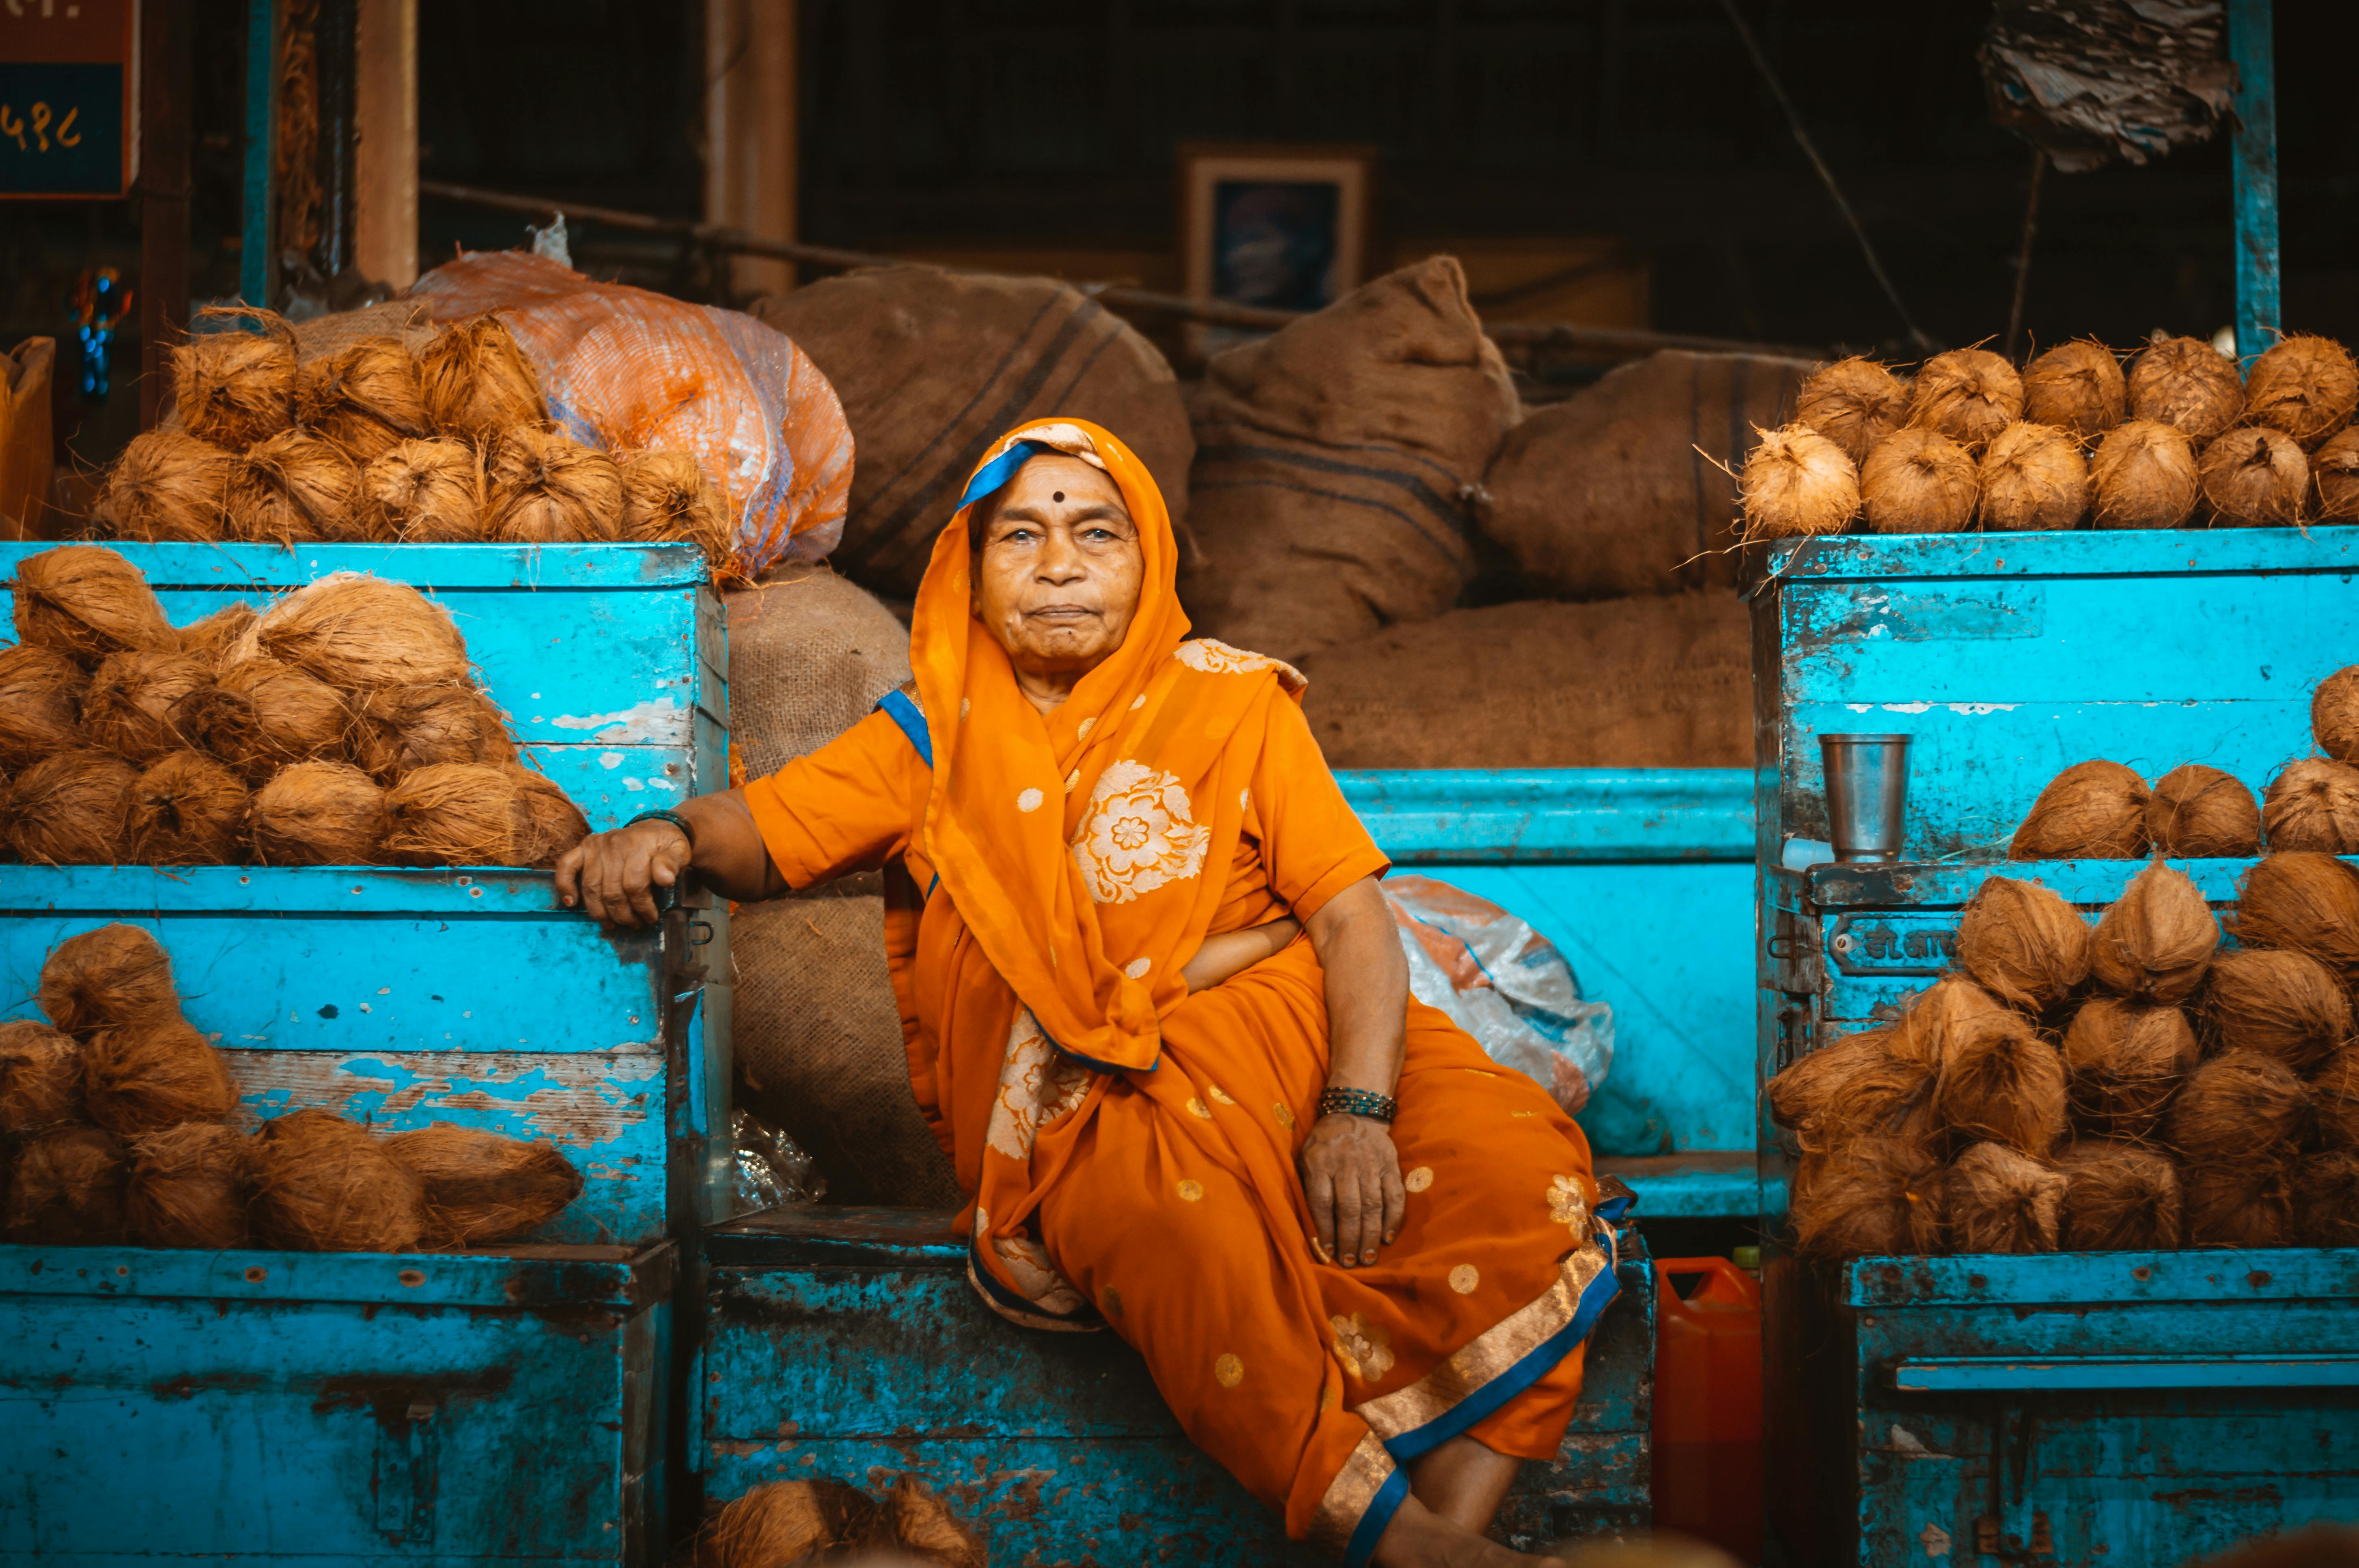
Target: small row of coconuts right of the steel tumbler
<point>2105,812</point>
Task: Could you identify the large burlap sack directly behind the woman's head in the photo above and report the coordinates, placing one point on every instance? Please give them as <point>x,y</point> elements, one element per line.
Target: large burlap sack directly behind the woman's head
<point>933,367</point>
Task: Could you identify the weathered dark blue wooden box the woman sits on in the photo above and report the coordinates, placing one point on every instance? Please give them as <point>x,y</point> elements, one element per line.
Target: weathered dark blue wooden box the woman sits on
<point>848,1343</point>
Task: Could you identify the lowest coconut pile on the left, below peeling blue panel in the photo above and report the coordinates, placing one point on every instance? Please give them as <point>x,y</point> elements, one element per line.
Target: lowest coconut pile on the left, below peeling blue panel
<point>119,1121</point>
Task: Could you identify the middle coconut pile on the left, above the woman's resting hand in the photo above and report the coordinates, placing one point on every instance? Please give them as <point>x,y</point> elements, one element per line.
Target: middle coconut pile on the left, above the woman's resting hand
<point>336,727</point>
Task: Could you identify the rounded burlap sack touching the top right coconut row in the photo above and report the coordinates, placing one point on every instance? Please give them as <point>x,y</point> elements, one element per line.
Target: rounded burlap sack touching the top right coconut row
<point>1610,492</point>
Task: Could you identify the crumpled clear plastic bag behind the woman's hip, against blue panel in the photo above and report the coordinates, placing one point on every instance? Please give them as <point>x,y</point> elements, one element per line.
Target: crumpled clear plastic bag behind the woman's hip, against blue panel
<point>1504,984</point>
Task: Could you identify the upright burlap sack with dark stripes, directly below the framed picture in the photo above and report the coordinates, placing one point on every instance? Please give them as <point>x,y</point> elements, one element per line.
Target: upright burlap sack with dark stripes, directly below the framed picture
<point>1332,466</point>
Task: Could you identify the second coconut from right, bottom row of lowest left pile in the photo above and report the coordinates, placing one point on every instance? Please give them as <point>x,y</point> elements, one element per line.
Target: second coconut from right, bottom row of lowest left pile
<point>322,1185</point>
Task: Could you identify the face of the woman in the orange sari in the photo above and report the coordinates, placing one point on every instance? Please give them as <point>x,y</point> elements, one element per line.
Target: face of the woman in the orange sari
<point>1060,569</point>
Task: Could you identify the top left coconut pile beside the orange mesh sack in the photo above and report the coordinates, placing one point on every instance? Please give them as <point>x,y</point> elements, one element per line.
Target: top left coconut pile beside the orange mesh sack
<point>374,444</point>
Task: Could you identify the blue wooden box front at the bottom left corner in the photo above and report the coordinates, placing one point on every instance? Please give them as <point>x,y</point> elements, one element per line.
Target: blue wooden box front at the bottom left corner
<point>334,1411</point>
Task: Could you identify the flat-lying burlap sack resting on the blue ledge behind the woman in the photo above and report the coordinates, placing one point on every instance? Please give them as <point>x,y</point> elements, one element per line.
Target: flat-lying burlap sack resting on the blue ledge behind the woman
<point>1657,683</point>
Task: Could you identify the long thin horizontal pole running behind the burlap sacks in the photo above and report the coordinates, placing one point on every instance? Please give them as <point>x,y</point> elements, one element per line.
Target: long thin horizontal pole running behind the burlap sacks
<point>1612,343</point>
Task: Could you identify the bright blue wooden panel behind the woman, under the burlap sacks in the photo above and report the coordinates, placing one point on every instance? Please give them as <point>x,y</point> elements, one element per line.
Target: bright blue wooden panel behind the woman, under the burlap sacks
<point>1645,883</point>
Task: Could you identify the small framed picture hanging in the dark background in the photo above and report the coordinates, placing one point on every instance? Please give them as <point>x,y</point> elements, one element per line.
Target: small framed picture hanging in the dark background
<point>1284,228</point>
